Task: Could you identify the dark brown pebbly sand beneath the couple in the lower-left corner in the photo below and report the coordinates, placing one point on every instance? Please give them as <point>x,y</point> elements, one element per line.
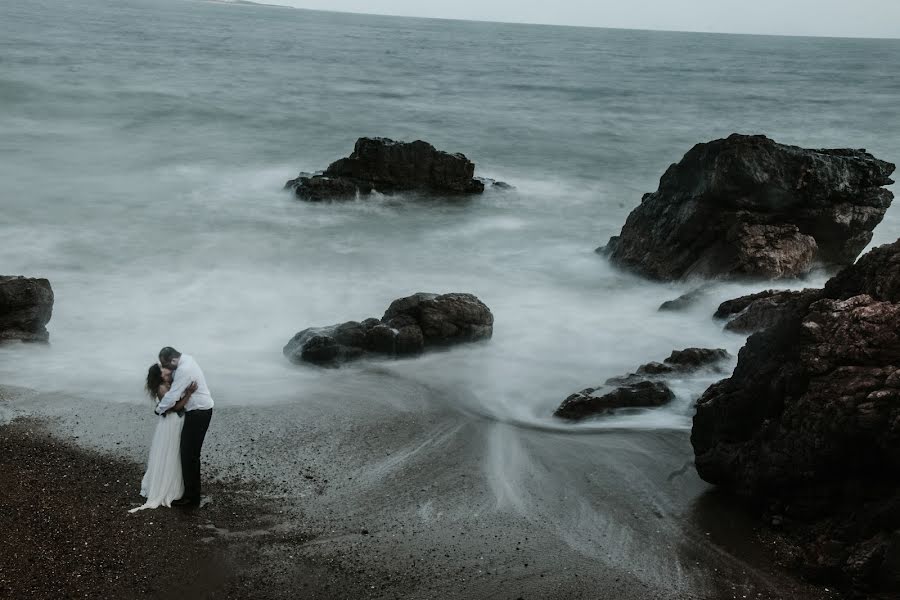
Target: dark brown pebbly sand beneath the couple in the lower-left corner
<point>67,533</point>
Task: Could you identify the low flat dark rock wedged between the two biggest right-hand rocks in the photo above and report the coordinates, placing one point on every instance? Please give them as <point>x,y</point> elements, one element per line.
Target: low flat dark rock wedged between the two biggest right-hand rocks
<point>755,312</point>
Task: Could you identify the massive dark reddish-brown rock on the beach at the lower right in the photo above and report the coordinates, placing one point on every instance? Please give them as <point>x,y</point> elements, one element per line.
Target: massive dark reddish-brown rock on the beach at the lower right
<point>808,425</point>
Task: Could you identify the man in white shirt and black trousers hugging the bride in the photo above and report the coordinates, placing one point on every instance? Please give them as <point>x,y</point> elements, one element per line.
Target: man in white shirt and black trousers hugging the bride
<point>198,412</point>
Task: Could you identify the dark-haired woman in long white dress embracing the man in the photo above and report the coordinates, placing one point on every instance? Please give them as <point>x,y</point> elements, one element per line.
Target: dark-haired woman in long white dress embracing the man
<point>162,482</point>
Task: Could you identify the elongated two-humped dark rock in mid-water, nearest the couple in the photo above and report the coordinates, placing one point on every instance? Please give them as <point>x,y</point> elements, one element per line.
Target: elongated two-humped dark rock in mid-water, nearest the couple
<point>409,326</point>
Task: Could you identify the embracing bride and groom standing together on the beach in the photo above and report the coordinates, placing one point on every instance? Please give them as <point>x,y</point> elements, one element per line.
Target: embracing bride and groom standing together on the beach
<point>184,406</point>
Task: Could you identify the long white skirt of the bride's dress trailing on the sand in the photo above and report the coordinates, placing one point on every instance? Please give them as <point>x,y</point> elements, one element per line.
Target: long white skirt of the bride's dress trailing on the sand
<point>162,482</point>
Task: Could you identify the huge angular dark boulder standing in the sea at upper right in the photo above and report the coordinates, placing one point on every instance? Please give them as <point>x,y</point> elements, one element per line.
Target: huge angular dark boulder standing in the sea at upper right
<point>746,206</point>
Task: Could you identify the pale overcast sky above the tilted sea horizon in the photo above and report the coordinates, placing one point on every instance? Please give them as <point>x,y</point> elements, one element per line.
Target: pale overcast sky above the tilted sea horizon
<point>844,18</point>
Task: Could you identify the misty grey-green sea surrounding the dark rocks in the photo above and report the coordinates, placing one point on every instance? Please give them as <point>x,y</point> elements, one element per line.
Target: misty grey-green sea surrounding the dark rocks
<point>143,147</point>
